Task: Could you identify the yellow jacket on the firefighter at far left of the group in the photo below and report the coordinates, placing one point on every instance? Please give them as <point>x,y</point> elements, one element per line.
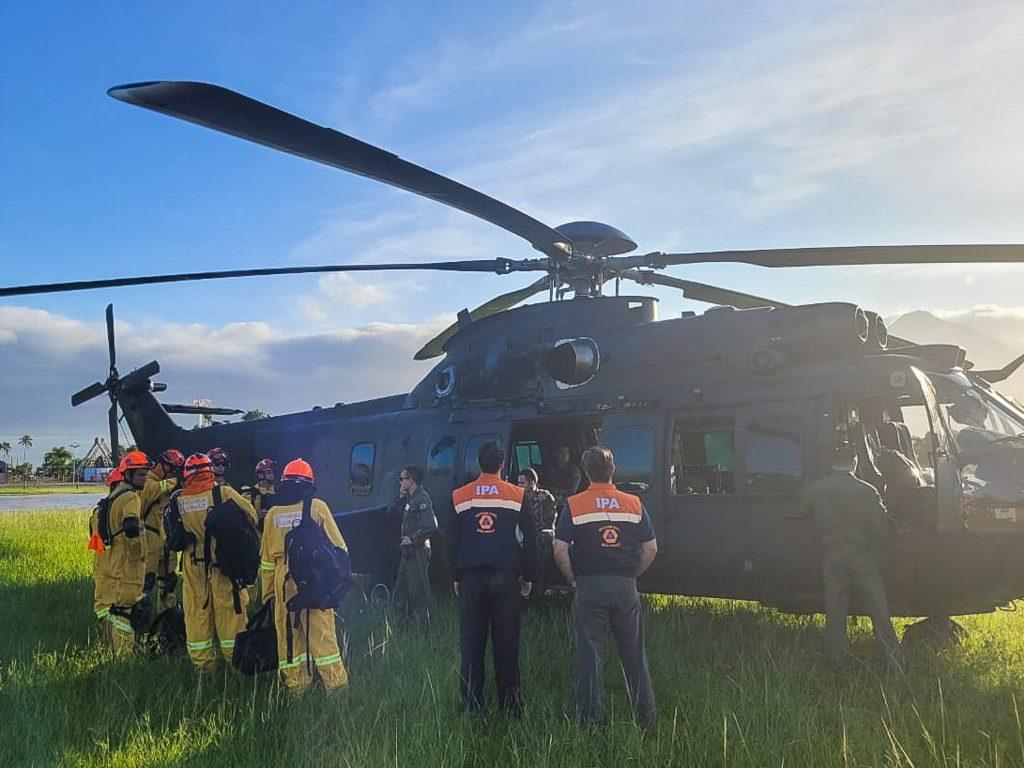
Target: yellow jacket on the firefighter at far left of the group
<point>120,571</point>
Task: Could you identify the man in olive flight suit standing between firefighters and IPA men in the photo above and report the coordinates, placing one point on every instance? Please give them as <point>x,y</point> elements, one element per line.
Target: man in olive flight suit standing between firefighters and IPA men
<point>412,587</point>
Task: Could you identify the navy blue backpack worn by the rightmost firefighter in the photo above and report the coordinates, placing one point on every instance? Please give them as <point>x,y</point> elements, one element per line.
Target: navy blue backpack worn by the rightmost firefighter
<point>323,573</point>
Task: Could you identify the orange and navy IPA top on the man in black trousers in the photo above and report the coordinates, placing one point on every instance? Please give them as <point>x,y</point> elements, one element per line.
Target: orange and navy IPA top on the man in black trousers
<point>489,522</point>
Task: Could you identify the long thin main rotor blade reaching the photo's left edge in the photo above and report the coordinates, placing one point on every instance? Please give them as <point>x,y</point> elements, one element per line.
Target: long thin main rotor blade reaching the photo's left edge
<point>498,267</point>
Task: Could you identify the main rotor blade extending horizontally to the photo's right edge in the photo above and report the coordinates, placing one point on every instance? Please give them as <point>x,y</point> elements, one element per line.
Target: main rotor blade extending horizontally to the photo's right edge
<point>834,257</point>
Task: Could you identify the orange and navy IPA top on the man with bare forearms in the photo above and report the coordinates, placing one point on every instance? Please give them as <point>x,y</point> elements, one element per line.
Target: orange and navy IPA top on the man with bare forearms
<point>606,528</point>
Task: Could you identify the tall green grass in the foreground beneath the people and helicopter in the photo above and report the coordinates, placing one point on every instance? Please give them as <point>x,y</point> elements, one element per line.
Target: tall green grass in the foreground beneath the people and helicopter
<point>737,686</point>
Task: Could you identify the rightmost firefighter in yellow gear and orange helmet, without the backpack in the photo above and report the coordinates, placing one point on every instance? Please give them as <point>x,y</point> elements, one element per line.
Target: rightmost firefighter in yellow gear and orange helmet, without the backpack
<point>315,651</point>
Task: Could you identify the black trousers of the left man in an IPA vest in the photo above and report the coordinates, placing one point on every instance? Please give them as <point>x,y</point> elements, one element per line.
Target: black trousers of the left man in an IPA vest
<point>490,601</point>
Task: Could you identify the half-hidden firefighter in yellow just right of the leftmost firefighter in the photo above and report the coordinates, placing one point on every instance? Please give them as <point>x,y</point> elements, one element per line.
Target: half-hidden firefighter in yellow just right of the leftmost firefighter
<point>161,566</point>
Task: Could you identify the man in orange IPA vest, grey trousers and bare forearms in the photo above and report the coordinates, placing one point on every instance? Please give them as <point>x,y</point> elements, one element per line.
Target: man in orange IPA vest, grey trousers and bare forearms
<point>613,544</point>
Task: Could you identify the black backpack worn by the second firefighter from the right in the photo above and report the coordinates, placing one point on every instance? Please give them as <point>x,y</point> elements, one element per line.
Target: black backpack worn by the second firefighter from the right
<point>238,544</point>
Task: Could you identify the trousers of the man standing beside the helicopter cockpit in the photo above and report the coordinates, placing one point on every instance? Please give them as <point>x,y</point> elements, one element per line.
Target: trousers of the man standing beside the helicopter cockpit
<point>857,574</point>
